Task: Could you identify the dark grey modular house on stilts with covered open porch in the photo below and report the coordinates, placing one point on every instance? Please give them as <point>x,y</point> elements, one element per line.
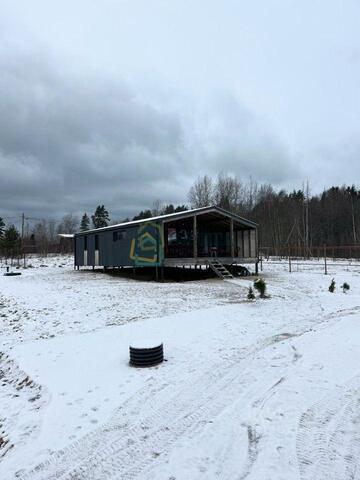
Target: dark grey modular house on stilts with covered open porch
<point>203,236</point>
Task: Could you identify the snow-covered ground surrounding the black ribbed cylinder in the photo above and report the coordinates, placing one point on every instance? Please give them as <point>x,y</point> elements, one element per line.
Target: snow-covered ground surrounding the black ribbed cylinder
<point>268,389</point>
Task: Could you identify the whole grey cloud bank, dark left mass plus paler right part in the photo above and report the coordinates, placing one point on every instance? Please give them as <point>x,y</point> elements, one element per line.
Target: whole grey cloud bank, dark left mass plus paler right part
<point>69,142</point>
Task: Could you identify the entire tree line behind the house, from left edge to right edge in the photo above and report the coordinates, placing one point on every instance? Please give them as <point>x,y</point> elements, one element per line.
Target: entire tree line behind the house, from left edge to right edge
<point>294,218</point>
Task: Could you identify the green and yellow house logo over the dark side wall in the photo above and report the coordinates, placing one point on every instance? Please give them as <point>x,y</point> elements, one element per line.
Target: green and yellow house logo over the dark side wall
<point>147,248</point>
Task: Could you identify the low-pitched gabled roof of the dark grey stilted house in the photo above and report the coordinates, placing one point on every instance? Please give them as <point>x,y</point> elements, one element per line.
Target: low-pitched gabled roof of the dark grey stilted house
<point>177,216</point>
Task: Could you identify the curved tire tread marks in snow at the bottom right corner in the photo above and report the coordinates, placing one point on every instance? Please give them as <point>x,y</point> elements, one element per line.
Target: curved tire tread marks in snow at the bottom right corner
<point>328,438</point>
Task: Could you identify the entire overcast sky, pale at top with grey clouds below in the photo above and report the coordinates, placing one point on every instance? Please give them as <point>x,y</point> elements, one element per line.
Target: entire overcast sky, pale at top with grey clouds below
<point>125,102</point>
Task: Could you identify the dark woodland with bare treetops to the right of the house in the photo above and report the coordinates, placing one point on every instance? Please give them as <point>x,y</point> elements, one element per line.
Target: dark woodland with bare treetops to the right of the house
<point>286,218</point>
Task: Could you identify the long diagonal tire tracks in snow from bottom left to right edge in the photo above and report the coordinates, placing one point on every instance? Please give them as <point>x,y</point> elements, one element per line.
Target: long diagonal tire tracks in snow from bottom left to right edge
<point>117,450</point>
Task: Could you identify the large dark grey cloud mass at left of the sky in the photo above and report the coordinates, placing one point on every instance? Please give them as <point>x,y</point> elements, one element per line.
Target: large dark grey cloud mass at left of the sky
<point>65,143</point>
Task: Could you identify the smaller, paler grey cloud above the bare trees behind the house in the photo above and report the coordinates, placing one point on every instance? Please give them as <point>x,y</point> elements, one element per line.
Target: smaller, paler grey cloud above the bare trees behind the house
<point>233,140</point>
